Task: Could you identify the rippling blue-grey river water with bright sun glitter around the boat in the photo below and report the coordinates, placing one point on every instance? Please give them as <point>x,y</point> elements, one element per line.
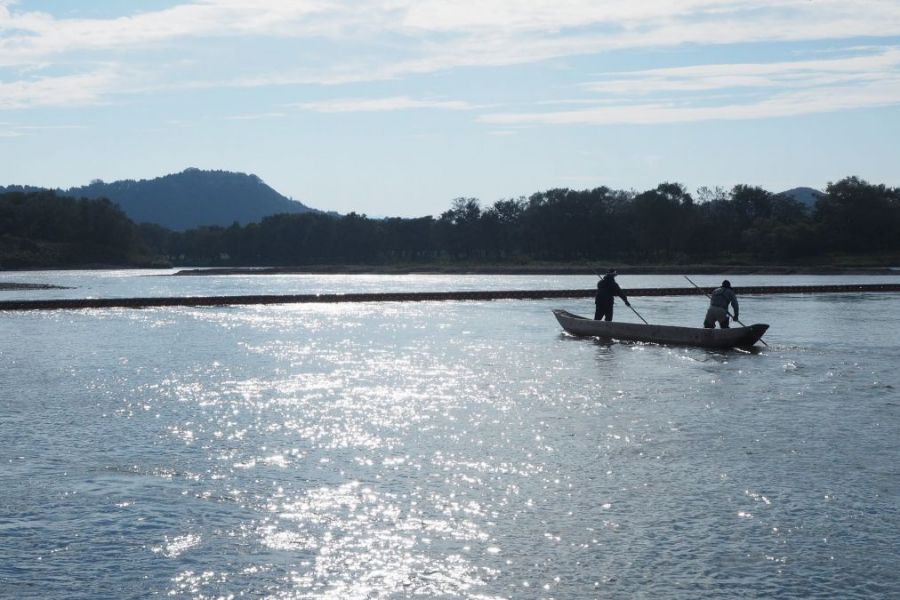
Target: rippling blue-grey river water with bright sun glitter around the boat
<point>444,449</point>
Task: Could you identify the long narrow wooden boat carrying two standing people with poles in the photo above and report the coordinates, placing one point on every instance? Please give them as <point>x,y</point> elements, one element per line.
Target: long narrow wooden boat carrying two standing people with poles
<point>733,337</point>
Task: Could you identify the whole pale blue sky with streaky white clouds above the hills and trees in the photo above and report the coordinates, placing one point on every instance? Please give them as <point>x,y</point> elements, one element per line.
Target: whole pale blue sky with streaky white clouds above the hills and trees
<point>397,107</point>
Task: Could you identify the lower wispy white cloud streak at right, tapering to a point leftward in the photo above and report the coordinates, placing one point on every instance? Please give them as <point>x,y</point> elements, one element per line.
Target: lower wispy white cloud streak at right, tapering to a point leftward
<point>710,92</point>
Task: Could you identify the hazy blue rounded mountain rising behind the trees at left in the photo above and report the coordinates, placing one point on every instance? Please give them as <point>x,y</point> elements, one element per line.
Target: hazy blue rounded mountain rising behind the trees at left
<point>193,198</point>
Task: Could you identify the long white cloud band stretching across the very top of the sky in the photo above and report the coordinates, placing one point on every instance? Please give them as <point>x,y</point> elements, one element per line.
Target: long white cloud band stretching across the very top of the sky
<point>440,34</point>
